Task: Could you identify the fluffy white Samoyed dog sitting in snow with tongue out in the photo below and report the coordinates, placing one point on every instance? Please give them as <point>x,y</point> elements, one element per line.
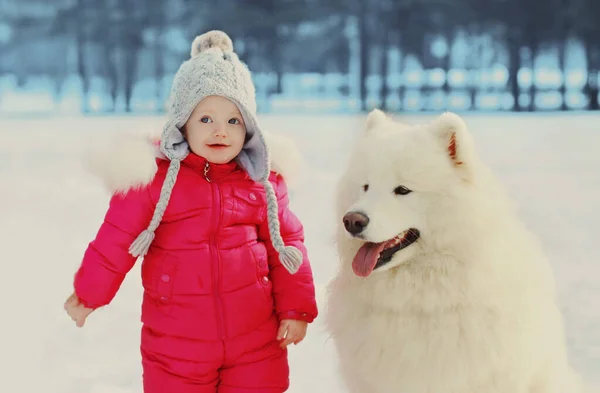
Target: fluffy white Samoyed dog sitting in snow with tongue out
<point>441,288</point>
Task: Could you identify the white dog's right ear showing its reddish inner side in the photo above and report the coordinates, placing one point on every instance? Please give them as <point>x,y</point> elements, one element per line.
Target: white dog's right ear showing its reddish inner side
<point>452,132</point>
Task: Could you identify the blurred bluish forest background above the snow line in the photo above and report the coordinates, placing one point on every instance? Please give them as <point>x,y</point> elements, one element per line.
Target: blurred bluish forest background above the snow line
<point>312,56</point>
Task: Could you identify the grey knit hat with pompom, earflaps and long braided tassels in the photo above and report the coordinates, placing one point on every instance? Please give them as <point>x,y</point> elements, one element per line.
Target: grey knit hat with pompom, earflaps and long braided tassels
<point>214,69</point>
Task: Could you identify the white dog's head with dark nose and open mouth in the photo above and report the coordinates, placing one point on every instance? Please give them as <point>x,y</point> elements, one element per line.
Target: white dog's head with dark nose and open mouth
<point>402,187</point>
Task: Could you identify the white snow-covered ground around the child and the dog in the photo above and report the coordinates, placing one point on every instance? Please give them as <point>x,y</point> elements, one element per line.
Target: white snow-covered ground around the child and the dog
<point>50,209</point>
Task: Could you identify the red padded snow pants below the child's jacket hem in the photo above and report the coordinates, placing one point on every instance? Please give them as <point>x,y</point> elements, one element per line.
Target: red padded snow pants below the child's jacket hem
<point>253,363</point>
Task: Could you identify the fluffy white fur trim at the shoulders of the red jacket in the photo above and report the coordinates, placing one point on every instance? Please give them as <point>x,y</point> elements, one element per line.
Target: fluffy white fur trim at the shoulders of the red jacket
<point>127,160</point>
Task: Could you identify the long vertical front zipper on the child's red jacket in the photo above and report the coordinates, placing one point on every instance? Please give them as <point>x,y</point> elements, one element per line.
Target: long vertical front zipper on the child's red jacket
<point>215,253</point>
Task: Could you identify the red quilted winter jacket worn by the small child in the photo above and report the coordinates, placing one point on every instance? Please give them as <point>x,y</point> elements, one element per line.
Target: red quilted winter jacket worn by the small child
<point>211,272</point>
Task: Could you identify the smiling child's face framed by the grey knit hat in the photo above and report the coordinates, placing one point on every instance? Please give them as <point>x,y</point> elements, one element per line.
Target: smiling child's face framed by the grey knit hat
<point>216,130</point>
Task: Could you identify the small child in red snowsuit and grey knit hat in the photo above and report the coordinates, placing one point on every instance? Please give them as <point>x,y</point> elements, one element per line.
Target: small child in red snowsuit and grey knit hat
<point>224,291</point>
